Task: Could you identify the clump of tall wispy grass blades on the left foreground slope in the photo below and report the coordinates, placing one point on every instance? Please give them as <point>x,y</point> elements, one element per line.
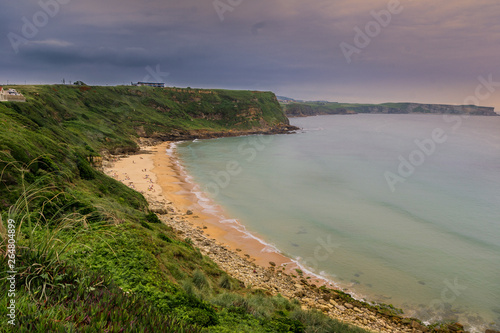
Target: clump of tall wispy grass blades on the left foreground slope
<point>41,240</point>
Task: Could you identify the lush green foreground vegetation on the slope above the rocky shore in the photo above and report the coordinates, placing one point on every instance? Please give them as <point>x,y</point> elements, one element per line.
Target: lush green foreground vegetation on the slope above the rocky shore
<point>106,277</point>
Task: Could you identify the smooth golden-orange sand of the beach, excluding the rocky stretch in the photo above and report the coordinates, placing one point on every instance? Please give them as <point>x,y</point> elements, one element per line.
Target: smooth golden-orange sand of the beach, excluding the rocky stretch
<point>164,183</point>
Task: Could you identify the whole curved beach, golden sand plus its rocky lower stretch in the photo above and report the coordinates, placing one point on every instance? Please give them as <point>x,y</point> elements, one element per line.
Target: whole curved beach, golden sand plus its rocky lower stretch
<point>161,179</point>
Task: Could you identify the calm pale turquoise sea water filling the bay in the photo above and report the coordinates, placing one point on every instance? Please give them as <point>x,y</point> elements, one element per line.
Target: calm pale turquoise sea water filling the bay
<point>429,243</point>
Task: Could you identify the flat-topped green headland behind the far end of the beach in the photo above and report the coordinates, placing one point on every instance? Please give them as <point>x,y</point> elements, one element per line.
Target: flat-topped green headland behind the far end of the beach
<point>113,118</point>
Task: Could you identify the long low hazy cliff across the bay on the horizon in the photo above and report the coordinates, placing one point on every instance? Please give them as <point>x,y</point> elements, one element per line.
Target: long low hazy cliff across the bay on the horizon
<point>324,108</point>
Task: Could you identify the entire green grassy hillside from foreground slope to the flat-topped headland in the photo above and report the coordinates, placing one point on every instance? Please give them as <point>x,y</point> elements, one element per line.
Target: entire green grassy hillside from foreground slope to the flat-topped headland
<point>90,256</point>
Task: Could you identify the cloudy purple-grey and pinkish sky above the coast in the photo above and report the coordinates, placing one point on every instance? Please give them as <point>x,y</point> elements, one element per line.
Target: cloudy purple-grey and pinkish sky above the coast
<point>359,51</point>
